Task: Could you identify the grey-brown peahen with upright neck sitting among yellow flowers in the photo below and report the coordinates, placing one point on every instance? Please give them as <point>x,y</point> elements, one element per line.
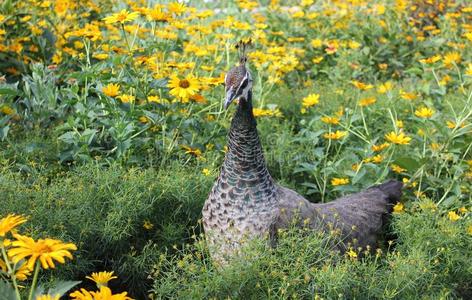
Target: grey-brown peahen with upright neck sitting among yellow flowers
<point>246,202</point>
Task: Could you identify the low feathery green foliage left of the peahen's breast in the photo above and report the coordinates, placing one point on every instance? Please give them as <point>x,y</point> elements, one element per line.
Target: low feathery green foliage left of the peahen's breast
<point>103,210</point>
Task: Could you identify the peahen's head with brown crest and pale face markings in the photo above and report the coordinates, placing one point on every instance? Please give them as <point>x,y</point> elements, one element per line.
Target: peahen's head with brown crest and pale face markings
<point>238,80</point>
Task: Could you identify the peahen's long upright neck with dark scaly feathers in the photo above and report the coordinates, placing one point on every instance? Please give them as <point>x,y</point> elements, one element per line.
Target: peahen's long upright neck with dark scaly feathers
<point>244,162</point>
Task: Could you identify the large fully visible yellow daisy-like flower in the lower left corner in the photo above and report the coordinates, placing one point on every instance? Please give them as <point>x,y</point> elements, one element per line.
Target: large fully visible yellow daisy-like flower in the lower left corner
<point>46,250</point>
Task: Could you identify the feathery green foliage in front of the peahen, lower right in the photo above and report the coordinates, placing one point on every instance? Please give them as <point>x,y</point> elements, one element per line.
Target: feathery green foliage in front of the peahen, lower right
<point>432,258</point>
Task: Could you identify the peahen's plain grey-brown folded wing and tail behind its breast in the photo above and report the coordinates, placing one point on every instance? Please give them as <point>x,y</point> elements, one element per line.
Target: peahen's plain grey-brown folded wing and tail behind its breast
<point>356,219</point>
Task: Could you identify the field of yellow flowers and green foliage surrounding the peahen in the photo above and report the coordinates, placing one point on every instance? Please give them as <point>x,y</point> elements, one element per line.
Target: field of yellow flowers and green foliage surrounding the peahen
<point>112,132</point>
